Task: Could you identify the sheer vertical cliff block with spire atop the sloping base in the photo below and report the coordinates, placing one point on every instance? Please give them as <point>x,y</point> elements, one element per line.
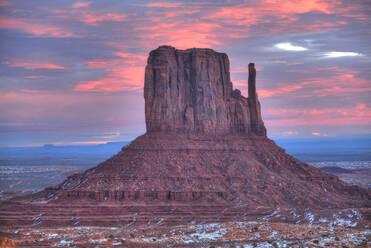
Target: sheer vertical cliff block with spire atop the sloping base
<point>190,91</point>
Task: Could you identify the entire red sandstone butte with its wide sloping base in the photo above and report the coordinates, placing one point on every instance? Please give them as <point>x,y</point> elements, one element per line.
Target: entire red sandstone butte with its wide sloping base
<point>204,158</point>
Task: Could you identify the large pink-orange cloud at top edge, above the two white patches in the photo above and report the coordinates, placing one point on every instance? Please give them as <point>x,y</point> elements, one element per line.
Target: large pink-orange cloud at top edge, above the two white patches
<point>280,16</point>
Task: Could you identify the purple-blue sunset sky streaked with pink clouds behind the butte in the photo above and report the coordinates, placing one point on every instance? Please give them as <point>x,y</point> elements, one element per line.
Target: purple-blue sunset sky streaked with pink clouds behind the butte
<point>72,72</point>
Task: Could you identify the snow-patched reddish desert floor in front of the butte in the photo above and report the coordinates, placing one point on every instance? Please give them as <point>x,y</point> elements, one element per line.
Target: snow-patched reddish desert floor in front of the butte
<point>232,234</point>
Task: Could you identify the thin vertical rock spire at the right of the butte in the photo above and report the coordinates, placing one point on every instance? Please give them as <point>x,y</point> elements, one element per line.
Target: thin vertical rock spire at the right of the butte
<point>256,122</point>
